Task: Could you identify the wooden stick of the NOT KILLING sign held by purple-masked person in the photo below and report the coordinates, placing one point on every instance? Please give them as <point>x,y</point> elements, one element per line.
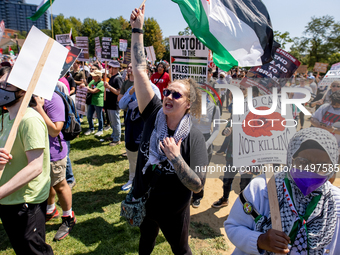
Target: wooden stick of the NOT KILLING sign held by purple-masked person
<point>273,201</point>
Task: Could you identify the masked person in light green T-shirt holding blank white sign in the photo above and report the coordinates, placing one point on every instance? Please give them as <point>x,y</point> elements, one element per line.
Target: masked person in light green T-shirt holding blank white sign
<point>25,183</point>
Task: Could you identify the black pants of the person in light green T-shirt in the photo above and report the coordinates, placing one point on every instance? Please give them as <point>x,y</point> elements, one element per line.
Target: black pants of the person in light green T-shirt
<point>25,227</point>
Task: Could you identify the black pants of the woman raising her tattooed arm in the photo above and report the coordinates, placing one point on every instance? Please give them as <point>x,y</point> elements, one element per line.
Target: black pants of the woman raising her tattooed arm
<point>175,228</point>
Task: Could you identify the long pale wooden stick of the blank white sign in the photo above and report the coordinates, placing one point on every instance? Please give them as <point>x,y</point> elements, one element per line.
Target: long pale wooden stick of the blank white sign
<point>28,95</point>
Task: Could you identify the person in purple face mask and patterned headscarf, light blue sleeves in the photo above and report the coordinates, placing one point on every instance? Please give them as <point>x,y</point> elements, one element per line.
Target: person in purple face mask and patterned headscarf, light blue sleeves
<point>309,204</point>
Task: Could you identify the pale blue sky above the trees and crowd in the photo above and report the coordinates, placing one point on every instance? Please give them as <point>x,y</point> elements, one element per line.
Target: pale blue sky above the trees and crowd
<point>286,15</point>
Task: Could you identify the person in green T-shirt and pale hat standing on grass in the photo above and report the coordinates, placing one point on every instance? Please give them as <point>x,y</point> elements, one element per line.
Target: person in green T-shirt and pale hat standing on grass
<point>96,88</point>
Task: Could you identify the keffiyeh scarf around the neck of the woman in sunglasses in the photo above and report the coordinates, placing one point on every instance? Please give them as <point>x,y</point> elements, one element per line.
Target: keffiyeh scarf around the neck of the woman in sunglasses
<point>160,132</point>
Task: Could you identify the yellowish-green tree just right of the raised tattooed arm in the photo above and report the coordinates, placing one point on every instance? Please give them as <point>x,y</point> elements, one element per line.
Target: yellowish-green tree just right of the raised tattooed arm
<point>153,37</point>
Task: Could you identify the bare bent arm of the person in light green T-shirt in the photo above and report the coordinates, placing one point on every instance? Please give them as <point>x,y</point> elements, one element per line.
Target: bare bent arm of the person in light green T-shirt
<point>25,175</point>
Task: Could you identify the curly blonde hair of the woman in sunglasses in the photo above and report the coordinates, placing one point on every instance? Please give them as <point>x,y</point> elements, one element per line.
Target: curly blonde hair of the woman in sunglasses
<point>194,96</point>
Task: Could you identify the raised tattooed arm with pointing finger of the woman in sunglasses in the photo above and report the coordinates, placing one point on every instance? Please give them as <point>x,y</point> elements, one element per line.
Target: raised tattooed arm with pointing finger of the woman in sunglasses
<point>144,92</point>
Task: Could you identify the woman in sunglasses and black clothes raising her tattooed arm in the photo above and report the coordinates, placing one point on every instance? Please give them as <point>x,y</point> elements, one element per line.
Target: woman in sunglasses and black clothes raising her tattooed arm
<point>171,145</point>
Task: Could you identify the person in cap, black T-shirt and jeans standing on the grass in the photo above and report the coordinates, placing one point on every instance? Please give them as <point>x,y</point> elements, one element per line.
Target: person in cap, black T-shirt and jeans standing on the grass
<point>111,103</point>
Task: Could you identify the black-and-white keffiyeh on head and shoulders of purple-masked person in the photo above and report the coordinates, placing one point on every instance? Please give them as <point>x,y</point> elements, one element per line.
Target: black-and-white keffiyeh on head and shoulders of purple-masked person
<point>321,223</point>
